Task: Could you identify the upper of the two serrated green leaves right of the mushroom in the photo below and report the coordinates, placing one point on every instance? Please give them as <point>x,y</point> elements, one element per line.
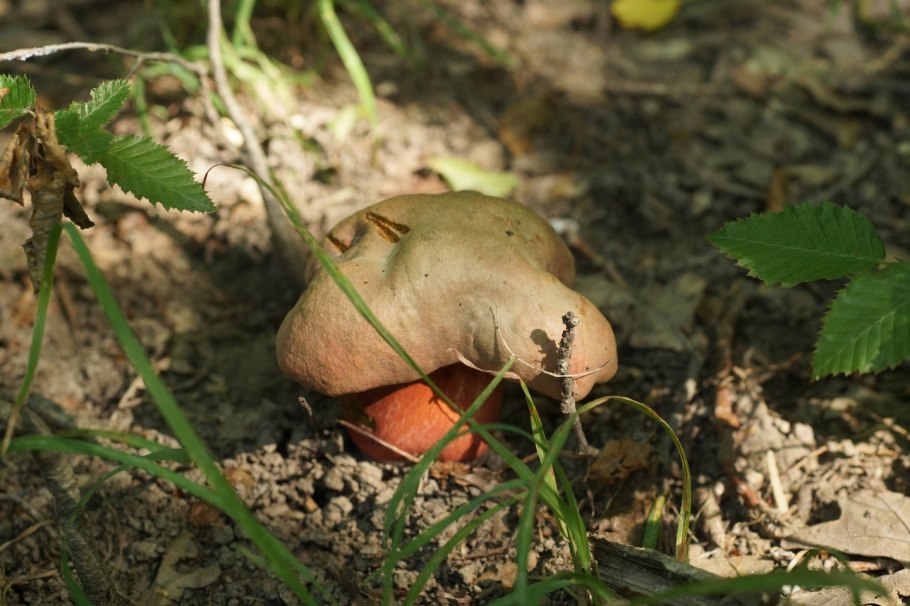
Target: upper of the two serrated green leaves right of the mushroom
<point>802,243</point>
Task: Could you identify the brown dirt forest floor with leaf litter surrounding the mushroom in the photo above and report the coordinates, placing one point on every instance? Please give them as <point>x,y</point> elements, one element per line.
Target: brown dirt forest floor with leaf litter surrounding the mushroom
<point>636,145</point>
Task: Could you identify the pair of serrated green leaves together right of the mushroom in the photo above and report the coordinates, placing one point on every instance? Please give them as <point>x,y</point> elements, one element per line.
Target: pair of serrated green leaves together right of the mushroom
<point>867,326</point>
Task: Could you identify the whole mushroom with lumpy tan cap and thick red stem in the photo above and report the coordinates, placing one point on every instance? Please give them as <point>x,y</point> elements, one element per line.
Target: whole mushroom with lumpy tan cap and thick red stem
<point>463,281</point>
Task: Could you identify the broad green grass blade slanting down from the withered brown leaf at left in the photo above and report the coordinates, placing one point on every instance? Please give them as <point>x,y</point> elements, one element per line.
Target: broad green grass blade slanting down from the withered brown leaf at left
<point>282,561</point>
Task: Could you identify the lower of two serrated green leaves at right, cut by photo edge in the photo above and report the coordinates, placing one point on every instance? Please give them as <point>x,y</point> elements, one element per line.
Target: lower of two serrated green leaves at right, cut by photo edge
<point>867,328</point>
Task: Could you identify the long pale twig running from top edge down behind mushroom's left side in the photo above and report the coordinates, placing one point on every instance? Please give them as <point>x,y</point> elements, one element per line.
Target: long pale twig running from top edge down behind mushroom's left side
<point>288,242</point>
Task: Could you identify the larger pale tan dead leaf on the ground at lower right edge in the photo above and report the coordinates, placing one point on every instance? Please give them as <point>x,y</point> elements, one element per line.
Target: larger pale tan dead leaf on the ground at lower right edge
<point>872,524</point>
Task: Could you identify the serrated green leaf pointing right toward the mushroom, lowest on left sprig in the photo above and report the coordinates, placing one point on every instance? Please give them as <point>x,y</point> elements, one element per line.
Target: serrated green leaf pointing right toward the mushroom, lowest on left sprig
<point>149,170</point>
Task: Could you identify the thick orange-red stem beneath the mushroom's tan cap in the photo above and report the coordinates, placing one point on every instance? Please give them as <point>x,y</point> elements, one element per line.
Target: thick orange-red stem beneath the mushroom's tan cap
<point>413,418</point>
